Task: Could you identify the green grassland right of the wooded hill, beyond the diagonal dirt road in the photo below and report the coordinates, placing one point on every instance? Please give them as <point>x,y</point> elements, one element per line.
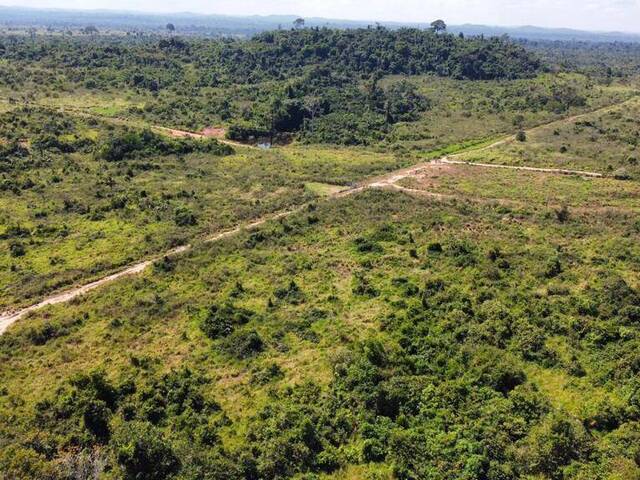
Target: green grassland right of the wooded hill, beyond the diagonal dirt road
<point>464,110</point>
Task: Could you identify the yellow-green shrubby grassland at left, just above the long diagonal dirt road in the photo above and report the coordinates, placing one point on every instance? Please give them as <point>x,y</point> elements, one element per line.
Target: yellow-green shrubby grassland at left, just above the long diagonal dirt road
<point>71,217</point>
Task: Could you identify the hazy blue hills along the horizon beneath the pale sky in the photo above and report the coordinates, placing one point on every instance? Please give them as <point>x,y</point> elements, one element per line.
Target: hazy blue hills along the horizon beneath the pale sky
<point>246,26</point>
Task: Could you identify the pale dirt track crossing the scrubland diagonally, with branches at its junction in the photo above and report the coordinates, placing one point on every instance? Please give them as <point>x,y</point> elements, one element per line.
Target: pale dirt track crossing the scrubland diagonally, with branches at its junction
<point>386,181</point>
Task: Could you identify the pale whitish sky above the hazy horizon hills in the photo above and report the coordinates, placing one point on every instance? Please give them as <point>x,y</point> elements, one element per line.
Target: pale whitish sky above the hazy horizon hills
<point>599,15</point>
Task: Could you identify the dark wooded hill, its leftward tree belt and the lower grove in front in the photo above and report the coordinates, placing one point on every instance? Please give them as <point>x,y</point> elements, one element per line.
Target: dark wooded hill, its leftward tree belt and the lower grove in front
<point>332,72</point>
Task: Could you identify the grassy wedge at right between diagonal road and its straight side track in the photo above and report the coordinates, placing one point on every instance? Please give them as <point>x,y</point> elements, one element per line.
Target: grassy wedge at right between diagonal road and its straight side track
<point>605,141</point>
